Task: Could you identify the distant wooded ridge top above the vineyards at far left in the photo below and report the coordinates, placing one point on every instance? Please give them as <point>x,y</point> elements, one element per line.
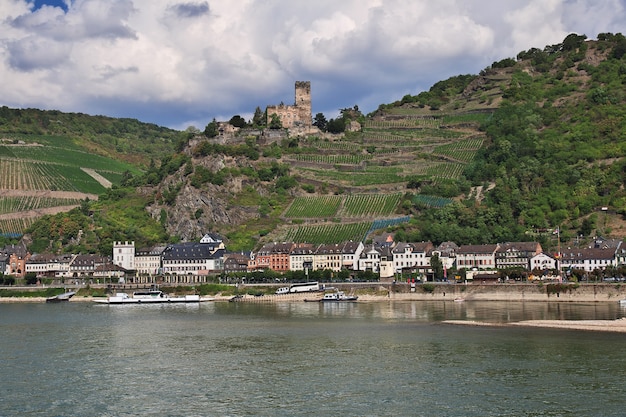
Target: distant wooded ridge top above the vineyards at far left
<point>124,139</point>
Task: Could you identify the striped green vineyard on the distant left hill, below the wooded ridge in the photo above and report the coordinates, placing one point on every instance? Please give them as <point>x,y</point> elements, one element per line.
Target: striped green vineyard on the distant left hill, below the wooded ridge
<point>47,177</point>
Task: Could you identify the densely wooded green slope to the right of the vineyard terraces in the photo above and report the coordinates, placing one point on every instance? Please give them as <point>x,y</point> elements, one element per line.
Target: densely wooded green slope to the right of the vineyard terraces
<point>555,150</point>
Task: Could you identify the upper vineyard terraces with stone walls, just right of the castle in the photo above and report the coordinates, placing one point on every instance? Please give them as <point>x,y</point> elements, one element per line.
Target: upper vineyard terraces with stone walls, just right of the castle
<point>393,147</point>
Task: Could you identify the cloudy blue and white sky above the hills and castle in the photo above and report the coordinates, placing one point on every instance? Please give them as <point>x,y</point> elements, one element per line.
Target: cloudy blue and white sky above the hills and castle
<point>181,63</point>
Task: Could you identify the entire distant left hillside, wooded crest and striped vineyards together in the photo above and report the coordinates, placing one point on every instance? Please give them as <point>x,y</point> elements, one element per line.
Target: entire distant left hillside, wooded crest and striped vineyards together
<point>51,161</point>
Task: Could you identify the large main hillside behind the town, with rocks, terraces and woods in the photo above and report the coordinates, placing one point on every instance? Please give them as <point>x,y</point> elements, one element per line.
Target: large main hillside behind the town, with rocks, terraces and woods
<point>530,144</point>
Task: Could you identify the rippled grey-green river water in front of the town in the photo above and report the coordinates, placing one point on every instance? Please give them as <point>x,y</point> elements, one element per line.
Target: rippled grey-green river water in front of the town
<point>307,359</point>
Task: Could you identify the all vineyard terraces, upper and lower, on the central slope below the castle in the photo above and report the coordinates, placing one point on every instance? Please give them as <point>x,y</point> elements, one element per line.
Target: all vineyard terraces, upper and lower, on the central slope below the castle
<point>398,144</point>
